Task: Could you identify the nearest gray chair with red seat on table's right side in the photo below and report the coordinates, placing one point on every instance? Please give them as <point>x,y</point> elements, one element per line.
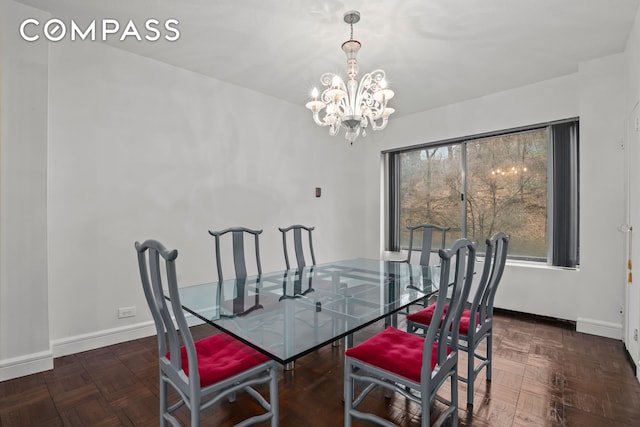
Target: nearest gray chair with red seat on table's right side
<point>413,366</point>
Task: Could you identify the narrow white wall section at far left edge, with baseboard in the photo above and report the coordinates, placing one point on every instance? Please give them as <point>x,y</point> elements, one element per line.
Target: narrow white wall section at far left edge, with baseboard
<point>24,324</point>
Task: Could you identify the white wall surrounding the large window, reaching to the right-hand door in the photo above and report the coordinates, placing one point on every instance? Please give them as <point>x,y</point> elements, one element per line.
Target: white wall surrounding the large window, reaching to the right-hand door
<point>592,295</point>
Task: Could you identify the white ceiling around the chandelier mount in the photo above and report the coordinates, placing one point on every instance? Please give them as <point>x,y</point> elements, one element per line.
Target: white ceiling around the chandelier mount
<point>435,52</point>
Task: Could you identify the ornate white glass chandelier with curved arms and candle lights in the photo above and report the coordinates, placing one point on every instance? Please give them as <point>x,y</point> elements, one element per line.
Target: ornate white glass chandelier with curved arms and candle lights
<point>352,105</point>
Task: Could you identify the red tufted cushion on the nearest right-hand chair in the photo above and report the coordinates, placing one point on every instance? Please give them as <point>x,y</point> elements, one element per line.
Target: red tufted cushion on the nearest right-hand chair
<point>395,351</point>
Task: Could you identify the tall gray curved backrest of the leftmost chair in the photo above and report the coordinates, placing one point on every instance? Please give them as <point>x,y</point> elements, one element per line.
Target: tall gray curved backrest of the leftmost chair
<point>153,258</point>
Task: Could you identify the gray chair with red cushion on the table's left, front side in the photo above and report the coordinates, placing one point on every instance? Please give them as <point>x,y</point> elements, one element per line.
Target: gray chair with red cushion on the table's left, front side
<point>204,372</point>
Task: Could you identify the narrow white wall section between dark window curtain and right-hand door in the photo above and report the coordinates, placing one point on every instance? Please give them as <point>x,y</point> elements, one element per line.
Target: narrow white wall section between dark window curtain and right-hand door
<point>602,198</point>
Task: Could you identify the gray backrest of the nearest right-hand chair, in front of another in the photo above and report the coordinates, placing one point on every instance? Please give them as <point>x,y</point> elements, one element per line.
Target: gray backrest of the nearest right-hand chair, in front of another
<point>461,258</point>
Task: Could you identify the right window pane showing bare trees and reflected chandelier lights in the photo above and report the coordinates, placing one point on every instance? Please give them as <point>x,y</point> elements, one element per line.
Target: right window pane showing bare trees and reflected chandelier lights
<point>507,190</point>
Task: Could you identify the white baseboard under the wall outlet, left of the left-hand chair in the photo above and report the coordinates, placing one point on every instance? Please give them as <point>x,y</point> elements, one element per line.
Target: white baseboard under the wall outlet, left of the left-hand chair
<point>90,341</point>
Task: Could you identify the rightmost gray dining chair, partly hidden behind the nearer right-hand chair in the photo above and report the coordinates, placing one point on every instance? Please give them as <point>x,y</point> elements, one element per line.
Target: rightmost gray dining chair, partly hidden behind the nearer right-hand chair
<point>473,333</point>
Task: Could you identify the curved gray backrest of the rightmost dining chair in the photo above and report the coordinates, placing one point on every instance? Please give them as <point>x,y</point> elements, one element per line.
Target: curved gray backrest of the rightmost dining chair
<point>494,262</point>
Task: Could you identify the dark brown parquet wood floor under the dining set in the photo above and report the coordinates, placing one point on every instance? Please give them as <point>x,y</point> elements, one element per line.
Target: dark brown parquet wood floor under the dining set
<point>543,375</point>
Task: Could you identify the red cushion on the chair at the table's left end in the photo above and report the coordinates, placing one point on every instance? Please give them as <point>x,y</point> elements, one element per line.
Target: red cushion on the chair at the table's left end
<point>220,357</point>
